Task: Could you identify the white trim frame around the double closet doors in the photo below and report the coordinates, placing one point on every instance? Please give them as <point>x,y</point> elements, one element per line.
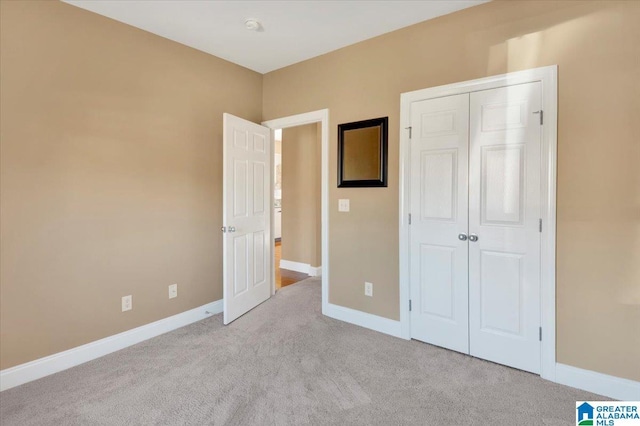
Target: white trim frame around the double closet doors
<point>548,77</point>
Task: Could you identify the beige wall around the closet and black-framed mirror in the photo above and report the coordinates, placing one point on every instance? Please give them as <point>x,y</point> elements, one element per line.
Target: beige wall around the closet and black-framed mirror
<point>597,48</point>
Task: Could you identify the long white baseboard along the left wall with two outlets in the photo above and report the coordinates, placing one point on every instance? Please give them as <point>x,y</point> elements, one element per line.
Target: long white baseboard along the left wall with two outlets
<point>33,370</point>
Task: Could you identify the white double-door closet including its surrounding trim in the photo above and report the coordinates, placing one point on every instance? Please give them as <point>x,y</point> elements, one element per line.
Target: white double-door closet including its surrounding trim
<point>478,218</point>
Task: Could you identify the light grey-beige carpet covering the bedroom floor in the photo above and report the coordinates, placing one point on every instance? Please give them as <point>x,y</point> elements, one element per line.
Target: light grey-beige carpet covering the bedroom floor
<point>286,364</point>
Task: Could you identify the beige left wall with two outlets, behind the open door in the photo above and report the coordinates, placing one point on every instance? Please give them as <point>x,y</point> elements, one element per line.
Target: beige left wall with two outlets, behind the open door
<point>110,175</point>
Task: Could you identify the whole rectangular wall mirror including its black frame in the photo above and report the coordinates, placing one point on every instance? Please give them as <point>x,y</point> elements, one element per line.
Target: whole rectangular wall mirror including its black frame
<point>362,153</point>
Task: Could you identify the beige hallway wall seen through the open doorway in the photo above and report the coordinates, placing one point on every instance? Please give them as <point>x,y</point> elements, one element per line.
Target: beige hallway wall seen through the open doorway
<point>301,194</point>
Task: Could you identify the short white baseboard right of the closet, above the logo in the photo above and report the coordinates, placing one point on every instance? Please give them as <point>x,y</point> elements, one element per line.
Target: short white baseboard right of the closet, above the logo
<point>602,384</point>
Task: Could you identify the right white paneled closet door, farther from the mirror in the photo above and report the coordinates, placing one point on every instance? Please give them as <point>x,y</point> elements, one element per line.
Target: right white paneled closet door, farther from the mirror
<point>504,210</point>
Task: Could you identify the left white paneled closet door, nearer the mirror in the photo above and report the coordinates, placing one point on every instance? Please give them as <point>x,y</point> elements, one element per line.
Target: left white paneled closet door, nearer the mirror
<point>438,258</point>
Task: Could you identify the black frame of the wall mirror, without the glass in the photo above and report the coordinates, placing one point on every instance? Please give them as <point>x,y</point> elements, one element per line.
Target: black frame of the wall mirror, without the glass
<point>383,123</point>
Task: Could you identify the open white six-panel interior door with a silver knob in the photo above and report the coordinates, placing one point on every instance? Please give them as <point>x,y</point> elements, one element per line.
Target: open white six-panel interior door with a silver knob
<point>246,216</point>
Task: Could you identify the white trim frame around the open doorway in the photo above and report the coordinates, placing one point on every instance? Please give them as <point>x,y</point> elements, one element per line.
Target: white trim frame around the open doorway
<point>320,116</point>
